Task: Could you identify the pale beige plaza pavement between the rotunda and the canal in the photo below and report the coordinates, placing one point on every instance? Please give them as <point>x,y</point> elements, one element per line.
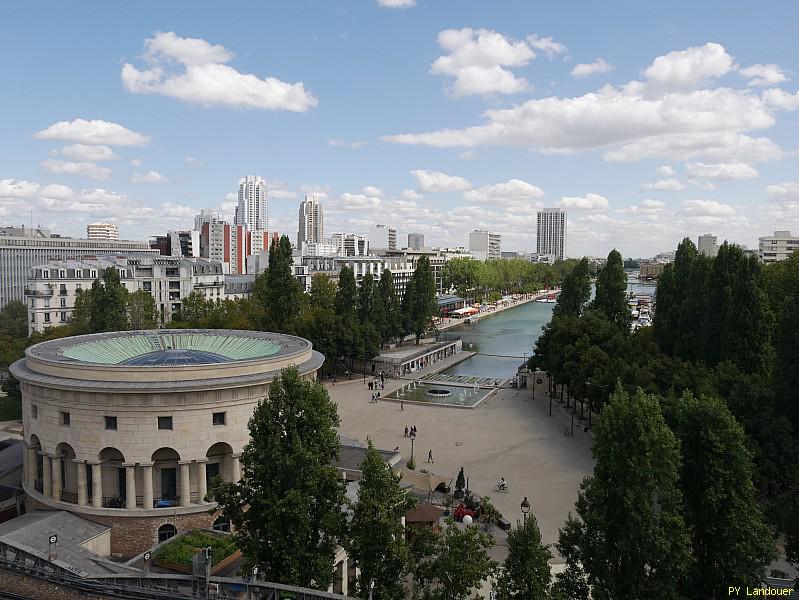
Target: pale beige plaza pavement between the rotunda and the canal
<point>510,435</point>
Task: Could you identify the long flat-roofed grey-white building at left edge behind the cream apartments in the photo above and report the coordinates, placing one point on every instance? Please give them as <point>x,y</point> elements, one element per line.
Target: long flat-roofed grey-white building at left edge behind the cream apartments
<point>22,248</point>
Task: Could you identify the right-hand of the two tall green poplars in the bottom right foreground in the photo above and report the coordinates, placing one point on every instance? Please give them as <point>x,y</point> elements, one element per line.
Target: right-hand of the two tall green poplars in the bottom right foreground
<point>730,543</point>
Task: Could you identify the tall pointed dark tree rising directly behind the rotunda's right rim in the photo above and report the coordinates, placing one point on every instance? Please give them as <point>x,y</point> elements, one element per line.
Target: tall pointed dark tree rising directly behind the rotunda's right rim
<point>277,291</point>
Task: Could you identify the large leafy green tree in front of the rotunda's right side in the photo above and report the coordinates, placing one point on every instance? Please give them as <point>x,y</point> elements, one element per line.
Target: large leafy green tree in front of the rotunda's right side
<point>288,507</point>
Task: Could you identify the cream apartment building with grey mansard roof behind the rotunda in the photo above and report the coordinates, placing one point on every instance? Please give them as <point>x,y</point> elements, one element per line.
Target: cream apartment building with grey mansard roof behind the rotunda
<point>53,287</point>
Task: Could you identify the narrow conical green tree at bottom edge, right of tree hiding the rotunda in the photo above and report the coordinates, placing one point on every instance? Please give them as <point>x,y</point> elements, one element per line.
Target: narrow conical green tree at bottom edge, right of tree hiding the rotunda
<point>377,537</point>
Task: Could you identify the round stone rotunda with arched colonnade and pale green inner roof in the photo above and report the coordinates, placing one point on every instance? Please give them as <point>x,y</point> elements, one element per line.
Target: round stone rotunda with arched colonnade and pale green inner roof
<point>129,428</point>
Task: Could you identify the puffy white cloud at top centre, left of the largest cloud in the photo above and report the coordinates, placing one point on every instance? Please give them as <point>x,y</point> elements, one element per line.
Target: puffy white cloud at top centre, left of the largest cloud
<point>480,61</point>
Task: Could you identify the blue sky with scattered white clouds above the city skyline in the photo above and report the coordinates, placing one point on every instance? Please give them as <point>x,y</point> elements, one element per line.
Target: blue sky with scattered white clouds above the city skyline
<point>647,121</point>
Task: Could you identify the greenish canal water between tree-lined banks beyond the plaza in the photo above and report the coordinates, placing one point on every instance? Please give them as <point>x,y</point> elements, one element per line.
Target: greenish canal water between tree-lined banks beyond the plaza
<point>501,339</point>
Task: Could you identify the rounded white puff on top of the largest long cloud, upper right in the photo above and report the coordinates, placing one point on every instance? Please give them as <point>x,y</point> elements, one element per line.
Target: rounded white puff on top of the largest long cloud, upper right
<point>690,68</point>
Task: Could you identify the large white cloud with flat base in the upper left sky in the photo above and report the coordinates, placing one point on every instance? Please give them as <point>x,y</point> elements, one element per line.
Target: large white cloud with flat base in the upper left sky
<point>206,80</point>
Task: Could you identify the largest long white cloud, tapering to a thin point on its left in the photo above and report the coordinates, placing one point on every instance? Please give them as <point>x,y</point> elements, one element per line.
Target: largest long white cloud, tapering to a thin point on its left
<point>663,117</point>
